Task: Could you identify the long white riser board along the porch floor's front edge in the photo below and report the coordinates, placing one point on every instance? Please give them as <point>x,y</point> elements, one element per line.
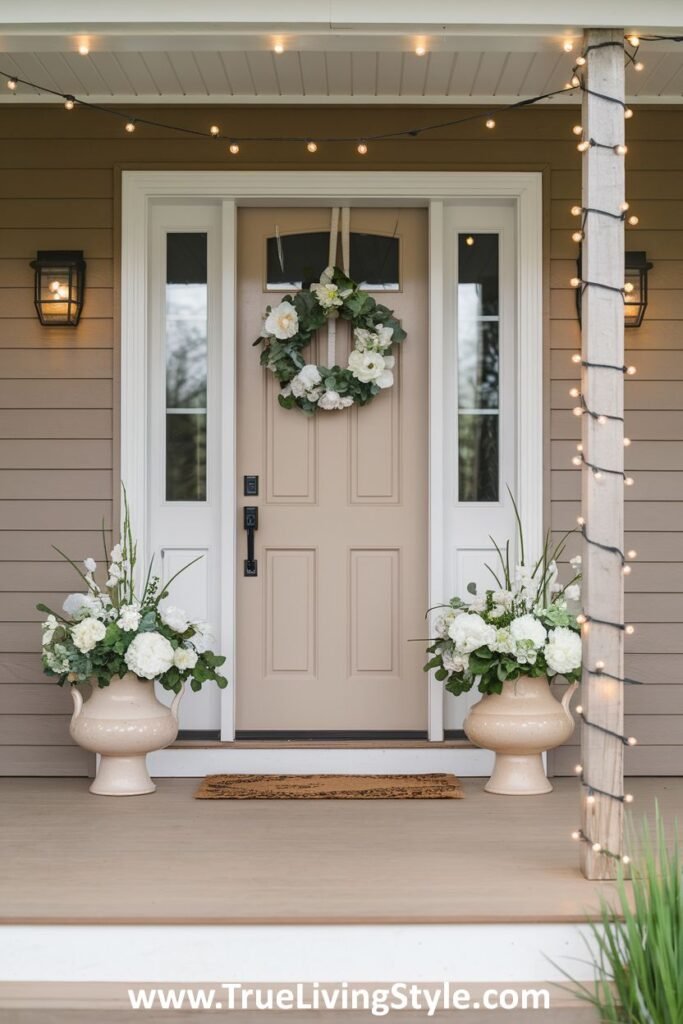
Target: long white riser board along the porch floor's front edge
<point>272,954</point>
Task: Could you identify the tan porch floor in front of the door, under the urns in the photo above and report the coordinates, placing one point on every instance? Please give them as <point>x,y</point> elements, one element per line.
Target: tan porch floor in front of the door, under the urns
<point>72,859</point>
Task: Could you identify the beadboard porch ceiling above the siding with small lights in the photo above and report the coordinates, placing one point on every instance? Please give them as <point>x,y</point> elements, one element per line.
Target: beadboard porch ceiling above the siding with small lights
<point>343,67</point>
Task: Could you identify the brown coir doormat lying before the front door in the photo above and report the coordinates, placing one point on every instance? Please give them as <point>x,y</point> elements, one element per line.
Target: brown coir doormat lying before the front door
<point>442,786</point>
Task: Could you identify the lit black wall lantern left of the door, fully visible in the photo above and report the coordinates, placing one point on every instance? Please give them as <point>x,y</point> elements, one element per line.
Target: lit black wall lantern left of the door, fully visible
<point>60,287</point>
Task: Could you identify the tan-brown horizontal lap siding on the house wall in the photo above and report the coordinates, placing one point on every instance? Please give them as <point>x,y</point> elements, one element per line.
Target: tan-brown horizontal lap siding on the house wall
<point>59,176</point>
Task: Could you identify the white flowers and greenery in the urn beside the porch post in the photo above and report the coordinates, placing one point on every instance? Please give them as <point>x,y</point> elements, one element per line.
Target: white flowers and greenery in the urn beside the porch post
<point>524,627</point>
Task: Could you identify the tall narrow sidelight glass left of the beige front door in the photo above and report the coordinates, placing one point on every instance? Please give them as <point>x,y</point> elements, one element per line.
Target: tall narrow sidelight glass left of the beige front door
<point>187,366</point>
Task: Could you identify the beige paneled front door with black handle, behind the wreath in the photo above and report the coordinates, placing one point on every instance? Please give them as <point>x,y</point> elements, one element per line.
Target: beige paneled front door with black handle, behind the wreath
<point>324,629</point>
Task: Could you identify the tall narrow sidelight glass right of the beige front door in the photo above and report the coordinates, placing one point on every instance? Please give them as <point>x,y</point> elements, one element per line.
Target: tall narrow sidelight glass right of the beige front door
<point>479,368</point>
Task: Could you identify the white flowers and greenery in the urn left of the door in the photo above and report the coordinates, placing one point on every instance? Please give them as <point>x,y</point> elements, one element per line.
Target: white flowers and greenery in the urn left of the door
<point>105,633</point>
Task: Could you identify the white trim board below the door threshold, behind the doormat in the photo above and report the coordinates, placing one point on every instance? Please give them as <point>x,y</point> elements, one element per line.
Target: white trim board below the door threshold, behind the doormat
<point>196,762</point>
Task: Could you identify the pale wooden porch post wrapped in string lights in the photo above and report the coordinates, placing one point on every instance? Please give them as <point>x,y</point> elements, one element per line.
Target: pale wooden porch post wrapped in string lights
<point>603,493</point>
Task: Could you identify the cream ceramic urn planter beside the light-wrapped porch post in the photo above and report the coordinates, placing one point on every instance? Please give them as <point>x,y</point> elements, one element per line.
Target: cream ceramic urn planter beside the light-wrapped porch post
<point>520,726</point>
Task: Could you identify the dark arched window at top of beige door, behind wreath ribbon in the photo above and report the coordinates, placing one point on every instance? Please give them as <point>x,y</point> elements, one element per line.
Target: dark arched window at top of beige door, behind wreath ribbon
<point>295,262</point>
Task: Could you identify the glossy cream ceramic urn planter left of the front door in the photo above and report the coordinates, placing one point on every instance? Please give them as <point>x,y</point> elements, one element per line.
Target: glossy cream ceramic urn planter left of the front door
<point>123,722</point>
